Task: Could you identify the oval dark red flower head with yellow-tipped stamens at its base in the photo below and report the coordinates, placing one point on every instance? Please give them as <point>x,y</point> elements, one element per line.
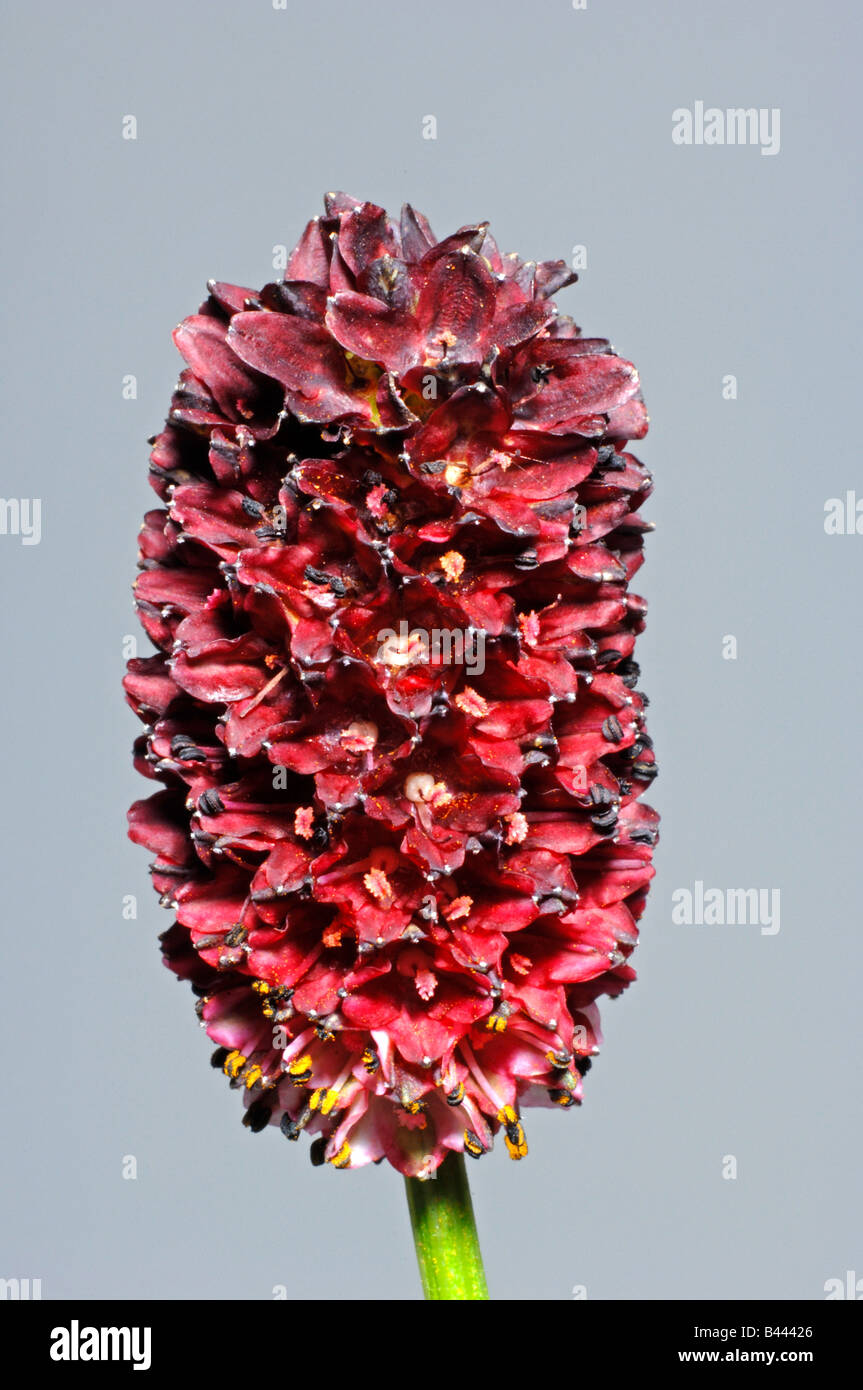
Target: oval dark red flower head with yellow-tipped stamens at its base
<point>394,704</point>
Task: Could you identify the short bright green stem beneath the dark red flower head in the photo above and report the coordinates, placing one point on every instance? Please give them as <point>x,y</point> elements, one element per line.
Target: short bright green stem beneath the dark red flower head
<point>445,1234</point>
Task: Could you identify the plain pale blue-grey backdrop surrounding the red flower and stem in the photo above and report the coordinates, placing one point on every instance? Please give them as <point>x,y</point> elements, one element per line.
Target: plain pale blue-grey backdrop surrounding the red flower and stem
<point>557,126</point>
